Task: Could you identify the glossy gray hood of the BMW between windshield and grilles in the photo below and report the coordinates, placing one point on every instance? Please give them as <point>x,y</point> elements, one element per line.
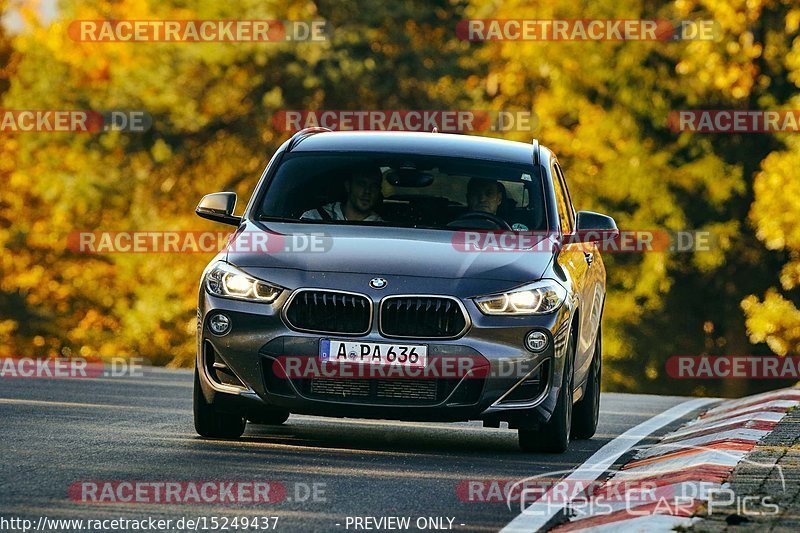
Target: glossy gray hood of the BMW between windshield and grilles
<point>380,251</point>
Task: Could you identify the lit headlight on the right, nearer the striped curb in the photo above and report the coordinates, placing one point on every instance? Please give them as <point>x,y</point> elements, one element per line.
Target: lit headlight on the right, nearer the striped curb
<point>538,298</point>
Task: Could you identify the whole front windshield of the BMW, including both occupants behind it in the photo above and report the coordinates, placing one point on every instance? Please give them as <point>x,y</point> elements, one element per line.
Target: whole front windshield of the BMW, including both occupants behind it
<point>398,190</point>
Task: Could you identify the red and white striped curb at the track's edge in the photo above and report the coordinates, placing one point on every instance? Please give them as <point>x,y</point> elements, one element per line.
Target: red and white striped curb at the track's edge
<point>695,459</point>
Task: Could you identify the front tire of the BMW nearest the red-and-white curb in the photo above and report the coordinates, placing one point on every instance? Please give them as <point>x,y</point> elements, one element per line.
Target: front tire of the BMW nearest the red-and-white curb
<point>553,436</point>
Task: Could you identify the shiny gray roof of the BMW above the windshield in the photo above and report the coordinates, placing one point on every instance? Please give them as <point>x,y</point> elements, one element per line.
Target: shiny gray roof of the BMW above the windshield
<point>437,144</point>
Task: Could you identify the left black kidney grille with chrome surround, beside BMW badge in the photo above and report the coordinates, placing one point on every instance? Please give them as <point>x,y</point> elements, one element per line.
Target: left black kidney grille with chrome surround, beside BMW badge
<point>327,311</point>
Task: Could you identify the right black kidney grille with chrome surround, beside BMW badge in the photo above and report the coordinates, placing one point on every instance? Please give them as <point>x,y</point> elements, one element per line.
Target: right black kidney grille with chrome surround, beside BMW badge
<point>422,316</point>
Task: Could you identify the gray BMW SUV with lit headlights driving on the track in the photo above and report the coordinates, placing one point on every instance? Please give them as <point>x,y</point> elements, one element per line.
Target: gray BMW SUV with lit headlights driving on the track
<point>406,276</point>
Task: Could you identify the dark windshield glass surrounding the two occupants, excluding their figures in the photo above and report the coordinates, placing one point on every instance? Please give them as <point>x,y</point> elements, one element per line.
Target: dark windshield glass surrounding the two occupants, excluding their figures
<point>417,191</point>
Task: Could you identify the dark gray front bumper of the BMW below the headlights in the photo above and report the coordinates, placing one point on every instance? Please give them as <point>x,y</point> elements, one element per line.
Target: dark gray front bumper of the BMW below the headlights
<point>259,338</point>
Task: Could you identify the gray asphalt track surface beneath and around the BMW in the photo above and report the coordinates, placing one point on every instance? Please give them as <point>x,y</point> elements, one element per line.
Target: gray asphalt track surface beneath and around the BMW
<point>56,432</point>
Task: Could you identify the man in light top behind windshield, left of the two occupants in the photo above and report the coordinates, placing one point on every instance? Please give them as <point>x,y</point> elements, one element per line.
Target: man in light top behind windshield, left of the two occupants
<point>363,188</point>
